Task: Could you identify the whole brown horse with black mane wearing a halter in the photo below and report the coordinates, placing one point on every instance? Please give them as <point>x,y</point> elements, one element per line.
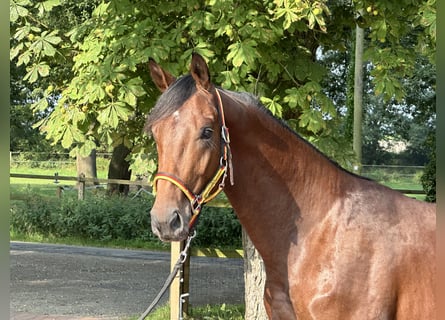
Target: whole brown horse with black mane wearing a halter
<point>334,245</point>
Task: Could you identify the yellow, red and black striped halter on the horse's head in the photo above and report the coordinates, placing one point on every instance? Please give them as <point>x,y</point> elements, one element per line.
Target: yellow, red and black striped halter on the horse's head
<point>216,184</point>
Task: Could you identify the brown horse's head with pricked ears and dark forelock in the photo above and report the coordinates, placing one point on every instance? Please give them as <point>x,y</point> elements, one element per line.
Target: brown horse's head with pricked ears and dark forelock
<point>186,126</point>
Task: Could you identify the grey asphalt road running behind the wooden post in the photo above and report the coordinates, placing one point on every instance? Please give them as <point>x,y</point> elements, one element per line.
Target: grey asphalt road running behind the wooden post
<point>49,279</point>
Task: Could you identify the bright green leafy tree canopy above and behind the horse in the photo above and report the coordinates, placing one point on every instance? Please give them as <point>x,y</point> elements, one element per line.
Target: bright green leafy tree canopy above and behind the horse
<point>90,58</point>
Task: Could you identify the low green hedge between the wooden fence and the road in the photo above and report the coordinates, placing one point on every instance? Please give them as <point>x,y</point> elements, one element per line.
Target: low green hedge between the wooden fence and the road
<point>113,218</point>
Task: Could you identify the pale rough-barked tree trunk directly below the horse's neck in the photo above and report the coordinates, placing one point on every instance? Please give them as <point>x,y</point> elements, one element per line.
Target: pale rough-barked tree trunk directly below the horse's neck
<point>254,281</point>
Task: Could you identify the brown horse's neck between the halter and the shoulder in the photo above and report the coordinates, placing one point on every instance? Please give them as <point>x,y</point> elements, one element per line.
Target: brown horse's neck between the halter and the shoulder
<point>280,181</point>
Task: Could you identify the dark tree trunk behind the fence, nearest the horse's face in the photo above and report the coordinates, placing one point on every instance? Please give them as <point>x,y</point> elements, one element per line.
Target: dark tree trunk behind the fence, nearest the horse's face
<point>119,168</point>
